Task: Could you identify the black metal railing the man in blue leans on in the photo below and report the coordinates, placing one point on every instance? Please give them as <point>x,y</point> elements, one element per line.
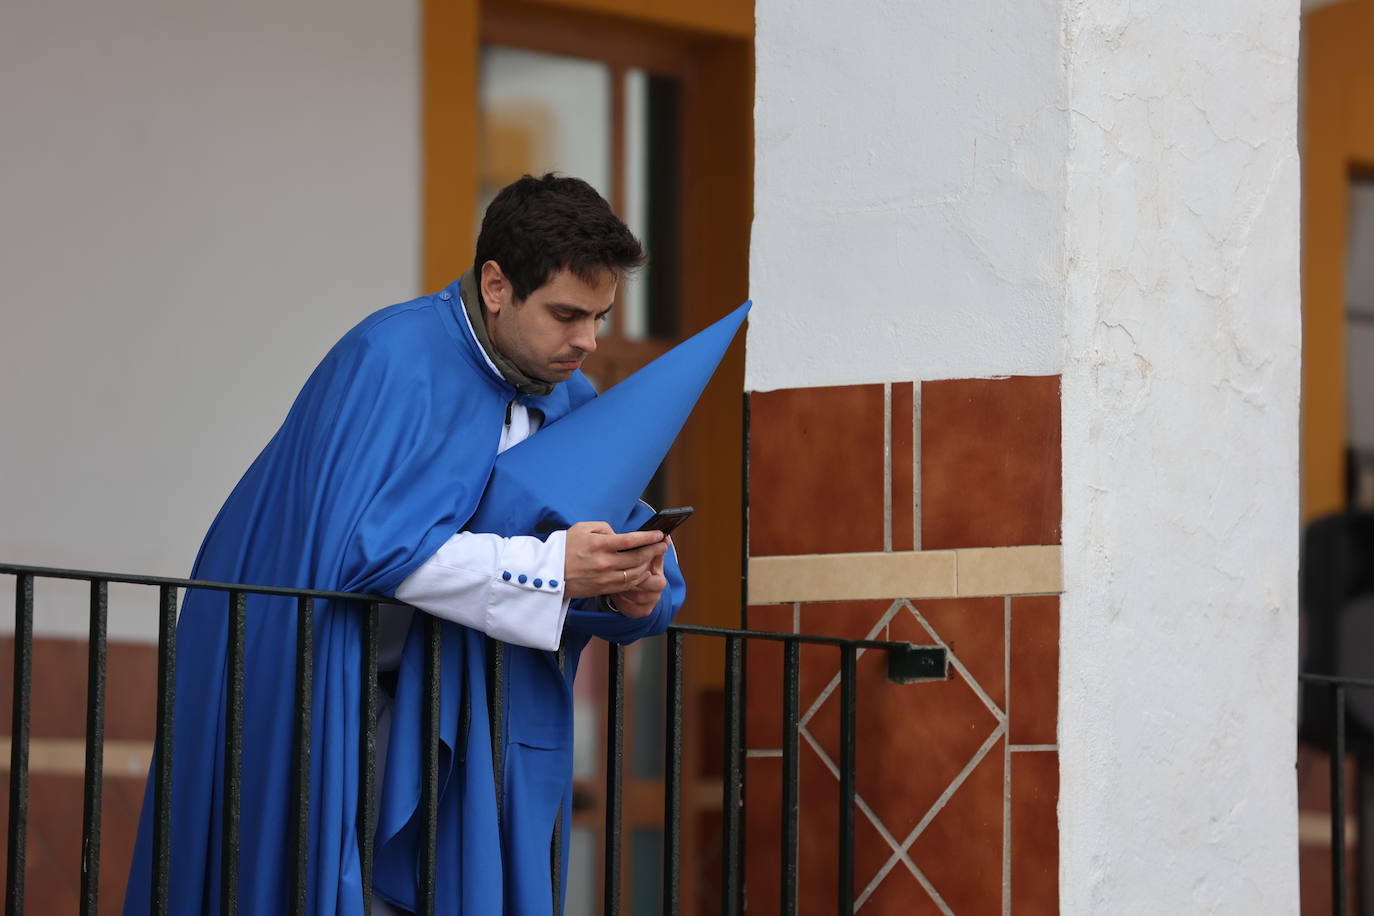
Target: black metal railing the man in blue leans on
<point>906,664</point>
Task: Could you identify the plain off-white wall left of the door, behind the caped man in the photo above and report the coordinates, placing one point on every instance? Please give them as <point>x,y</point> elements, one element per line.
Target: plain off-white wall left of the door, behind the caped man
<point>196,200</point>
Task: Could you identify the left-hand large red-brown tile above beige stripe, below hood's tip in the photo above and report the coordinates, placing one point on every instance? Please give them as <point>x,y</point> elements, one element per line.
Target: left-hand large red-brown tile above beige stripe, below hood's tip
<point>815,470</point>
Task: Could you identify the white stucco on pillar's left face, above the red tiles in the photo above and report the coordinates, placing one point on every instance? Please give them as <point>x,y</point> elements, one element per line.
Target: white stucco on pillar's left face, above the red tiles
<point>909,192</point>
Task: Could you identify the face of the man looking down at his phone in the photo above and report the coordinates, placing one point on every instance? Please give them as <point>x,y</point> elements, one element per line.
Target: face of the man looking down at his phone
<point>554,329</point>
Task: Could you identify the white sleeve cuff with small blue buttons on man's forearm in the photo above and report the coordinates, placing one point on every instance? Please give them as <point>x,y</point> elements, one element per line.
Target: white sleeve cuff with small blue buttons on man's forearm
<point>510,588</point>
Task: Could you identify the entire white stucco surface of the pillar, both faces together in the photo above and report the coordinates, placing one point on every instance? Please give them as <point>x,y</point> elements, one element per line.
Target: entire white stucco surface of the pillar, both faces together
<point>976,189</point>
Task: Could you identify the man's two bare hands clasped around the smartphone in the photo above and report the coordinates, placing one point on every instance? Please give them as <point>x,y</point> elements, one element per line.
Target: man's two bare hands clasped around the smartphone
<point>594,565</point>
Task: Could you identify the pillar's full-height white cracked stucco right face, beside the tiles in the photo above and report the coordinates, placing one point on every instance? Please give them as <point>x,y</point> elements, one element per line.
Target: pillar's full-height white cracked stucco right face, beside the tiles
<point>1181,407</point>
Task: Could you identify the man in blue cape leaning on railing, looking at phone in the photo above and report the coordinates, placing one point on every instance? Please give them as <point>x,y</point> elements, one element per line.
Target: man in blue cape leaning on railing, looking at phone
<point>372,485</point>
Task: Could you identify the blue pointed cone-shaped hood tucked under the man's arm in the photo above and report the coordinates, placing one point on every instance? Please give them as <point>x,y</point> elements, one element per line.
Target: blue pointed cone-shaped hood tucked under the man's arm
<point>594,463</point>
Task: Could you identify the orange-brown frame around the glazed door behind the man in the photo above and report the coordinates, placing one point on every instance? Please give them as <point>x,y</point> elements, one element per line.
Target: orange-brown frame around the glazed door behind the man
<point>711,50</point>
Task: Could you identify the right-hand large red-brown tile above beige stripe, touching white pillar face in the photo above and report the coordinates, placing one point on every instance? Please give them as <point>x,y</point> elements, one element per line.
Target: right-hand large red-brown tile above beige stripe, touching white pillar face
<point>990,462</point>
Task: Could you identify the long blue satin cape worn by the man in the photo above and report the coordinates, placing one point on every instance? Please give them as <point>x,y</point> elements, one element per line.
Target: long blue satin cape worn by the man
<point>383,458</point>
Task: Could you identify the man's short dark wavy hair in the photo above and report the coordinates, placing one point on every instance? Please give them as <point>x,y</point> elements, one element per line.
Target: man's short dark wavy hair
<point>538,227</point>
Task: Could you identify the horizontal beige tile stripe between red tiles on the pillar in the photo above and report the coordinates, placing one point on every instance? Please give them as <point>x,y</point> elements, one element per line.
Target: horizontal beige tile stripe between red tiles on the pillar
<point>964,573</point>
